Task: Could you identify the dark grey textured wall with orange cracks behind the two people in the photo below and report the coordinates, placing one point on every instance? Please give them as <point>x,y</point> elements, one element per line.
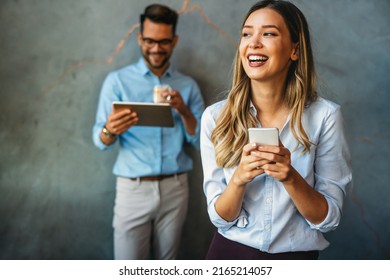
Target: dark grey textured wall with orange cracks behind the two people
<point>57,189</point>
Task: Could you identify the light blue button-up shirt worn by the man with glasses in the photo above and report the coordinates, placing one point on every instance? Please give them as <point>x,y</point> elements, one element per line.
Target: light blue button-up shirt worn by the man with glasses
<point>147,150</point>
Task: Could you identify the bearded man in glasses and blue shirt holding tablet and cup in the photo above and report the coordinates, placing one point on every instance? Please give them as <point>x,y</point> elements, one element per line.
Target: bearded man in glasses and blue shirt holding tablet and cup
<point>151,167</point>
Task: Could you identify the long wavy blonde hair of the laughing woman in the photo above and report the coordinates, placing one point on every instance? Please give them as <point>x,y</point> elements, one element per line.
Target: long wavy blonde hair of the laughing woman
<point>230,134</point>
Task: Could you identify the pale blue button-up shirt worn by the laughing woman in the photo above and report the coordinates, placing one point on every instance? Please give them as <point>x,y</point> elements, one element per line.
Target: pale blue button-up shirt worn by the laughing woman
<point>269,221</point>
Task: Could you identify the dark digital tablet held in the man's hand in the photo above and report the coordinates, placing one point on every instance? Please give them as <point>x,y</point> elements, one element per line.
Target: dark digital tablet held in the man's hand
<point>149,114</point>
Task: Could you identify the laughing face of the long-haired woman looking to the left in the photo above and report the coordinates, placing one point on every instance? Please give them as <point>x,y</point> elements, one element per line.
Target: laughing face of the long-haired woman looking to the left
<point>266,48</point>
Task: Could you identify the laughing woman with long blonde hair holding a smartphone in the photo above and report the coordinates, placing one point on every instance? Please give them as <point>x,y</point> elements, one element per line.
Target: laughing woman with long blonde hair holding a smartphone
<point>274,202</point>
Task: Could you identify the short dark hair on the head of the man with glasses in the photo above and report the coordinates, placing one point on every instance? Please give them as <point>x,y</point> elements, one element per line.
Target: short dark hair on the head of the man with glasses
<point>158,13</point>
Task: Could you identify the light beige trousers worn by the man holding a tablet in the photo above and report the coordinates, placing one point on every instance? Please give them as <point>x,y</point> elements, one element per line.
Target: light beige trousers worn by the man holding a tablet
<point>148,217</point>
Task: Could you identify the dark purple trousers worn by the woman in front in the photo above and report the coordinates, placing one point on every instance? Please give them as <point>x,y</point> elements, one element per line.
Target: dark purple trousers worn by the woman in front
<point>222,248</point>
